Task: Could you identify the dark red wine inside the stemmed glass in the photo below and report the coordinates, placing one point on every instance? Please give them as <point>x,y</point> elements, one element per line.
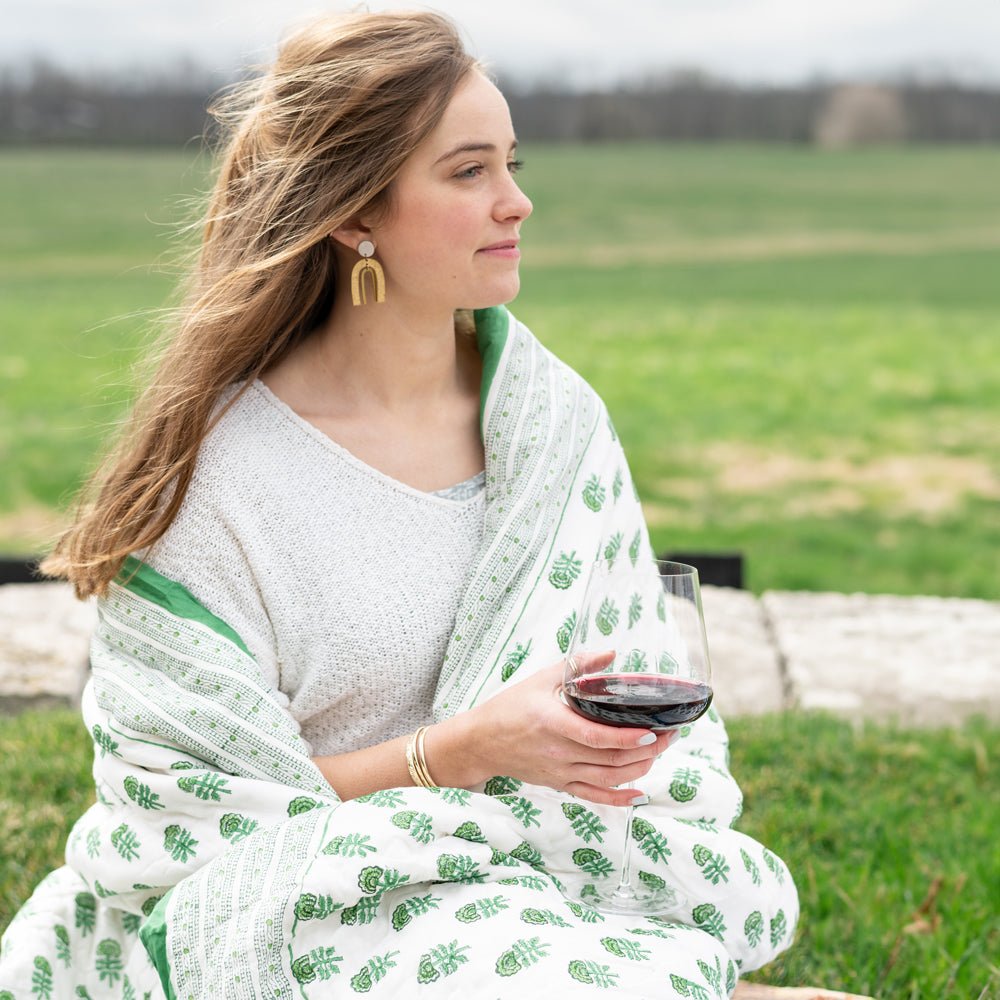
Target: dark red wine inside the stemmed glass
<point>650,701</point>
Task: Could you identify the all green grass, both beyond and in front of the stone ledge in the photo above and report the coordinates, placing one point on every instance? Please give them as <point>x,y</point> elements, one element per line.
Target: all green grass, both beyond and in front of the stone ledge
<point>801,351</point>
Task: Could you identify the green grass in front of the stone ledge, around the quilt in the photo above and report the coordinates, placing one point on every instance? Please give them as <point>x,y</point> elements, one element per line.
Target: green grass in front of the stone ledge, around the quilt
<point>890,835</point>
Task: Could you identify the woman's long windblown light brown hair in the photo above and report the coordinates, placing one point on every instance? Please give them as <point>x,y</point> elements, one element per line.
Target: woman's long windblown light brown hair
<point>312,143</point>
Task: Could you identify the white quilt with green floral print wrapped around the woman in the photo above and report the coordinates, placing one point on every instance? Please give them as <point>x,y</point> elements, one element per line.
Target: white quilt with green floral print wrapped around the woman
<point>216,850</point>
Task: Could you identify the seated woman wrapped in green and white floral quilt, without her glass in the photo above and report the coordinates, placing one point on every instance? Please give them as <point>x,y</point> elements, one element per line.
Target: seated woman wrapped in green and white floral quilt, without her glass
<point>339,554</point>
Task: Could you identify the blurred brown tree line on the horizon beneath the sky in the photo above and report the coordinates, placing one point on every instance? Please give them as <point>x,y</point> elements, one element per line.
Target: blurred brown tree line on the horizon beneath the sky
<point>49,105</point>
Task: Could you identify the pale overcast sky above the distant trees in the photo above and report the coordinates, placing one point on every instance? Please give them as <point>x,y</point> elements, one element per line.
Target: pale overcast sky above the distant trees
<point>581,41</point>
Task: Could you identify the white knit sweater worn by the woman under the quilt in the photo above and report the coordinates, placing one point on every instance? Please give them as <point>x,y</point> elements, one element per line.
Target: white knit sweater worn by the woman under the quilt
<point>343,582</point>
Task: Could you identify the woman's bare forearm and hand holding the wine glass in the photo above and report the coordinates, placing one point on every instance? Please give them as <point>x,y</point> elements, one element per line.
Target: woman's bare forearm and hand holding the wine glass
<point>524,732</point>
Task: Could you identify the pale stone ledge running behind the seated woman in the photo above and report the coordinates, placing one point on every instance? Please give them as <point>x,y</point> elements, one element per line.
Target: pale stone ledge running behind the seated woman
<point>918,660</point>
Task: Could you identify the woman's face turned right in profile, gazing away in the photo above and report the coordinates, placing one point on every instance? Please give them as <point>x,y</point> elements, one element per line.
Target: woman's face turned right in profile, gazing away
<point>450,241</point>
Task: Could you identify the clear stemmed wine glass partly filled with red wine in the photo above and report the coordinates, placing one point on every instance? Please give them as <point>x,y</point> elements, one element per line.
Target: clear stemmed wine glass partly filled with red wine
<point>659,678</point>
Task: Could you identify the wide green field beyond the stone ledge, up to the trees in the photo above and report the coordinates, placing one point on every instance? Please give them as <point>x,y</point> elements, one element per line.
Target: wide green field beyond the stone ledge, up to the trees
<point>801,349</point>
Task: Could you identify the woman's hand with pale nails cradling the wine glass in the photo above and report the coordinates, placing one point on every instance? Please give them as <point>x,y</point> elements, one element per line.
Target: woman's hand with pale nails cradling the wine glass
<point>528,732</point>
